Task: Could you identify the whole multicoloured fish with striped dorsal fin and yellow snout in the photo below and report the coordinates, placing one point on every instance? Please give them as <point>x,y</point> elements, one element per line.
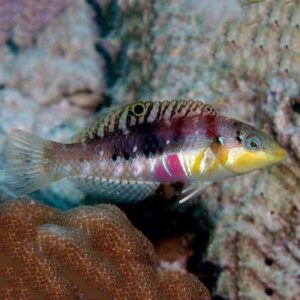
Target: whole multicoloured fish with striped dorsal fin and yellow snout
<point>125,155</point>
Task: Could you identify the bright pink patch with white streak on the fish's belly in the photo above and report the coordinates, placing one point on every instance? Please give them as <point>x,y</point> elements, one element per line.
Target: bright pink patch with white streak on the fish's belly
<point>169,169</point>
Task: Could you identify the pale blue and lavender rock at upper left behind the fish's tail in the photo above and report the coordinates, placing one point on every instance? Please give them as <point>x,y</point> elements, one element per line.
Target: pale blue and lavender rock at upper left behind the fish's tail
<point>51,77</point>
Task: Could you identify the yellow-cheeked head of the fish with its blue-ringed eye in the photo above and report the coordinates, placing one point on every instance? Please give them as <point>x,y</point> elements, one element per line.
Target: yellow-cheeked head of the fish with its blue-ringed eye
<point>245,148</point>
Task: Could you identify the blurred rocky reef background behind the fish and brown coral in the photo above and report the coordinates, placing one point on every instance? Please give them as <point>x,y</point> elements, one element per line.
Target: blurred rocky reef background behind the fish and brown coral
<point>62,62</point>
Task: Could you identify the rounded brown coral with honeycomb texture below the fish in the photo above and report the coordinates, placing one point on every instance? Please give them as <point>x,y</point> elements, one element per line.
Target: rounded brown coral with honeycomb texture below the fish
<point>86,253</point>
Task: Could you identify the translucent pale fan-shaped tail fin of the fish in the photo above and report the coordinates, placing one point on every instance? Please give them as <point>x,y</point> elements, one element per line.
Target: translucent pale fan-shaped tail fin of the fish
<point>27,166</point>
